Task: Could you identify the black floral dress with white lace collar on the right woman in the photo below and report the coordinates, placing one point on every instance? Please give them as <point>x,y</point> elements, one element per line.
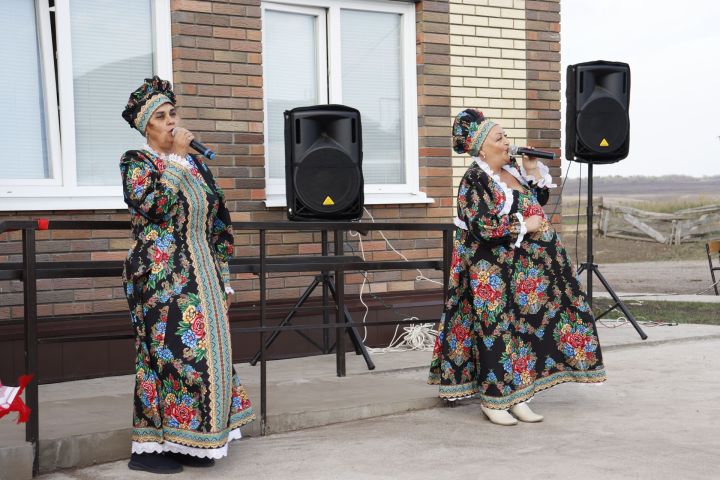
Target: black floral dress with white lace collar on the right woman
<point>516,321</point>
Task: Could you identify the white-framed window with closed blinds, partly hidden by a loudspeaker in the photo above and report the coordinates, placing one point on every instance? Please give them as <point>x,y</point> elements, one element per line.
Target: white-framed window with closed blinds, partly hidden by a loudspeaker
<point>352,52</point>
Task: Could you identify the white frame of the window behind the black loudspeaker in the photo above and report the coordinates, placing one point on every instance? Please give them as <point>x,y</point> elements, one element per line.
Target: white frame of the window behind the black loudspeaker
<point>408,192</point>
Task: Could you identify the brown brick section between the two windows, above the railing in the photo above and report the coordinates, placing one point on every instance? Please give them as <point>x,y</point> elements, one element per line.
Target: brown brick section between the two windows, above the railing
<point>218,78</point>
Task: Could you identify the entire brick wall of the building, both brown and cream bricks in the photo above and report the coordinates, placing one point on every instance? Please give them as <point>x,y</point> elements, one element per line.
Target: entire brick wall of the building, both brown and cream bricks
<point>498,55</point>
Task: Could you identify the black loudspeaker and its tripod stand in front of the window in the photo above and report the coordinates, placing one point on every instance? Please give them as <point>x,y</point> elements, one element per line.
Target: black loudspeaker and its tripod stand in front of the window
<point>323,182</point>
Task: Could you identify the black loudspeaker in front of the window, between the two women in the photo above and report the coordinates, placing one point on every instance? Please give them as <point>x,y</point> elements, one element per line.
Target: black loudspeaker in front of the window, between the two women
<point>323,163</point>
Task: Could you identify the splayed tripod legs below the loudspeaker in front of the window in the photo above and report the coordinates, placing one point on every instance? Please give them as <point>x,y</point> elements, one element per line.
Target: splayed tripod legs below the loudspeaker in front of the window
<point>357,342</point>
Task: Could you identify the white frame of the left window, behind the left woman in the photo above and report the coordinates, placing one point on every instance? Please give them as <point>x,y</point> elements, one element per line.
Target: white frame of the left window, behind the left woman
<point>61,191</point>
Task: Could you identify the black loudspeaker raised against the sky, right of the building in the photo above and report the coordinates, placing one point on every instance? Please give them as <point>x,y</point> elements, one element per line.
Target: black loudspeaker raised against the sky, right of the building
<point>597,127</point>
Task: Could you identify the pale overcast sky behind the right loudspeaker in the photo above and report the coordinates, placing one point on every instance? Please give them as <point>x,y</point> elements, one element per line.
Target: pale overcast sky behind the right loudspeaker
<point>673,49</point>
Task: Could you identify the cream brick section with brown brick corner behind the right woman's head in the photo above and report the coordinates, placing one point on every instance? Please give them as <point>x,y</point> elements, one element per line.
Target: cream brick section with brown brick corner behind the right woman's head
<point>505,61</point>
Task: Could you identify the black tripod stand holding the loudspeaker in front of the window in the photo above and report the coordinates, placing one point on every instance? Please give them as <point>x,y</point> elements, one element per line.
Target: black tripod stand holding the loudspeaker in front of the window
<point>328,285</point>
